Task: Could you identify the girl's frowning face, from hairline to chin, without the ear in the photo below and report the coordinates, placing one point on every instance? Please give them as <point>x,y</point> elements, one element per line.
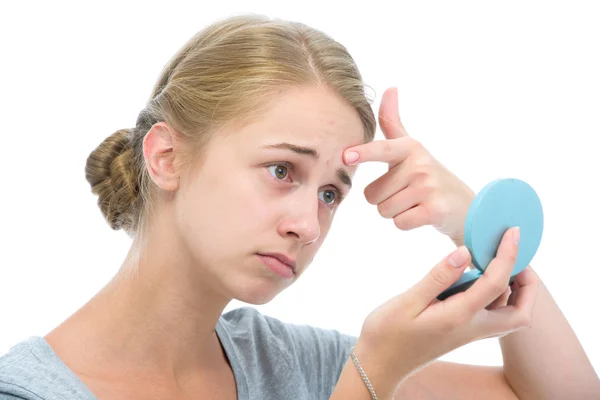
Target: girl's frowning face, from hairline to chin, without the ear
<point>272,186</point>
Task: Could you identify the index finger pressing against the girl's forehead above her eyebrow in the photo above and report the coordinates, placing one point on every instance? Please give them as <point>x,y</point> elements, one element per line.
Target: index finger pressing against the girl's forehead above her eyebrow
<point>391,151</point>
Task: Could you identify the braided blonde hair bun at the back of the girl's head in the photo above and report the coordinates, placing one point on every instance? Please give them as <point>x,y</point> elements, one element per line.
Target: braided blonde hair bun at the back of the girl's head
<point>110,171</point>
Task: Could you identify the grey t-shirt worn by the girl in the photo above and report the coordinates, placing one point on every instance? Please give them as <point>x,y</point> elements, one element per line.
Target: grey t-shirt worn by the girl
<point>270,360</point>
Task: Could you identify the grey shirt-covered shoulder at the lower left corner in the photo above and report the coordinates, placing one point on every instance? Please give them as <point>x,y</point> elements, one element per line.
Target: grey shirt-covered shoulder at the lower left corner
<point>31,370</point>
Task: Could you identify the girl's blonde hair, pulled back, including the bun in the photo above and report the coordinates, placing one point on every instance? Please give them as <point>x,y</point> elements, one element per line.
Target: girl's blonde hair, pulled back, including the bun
<point>226,72</point>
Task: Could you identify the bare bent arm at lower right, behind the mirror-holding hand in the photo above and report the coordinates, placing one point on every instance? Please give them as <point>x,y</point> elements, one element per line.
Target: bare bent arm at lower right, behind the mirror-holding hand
<point>545,361</point>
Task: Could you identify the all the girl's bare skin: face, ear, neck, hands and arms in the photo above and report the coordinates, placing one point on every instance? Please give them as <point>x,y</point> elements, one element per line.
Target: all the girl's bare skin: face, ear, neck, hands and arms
<point>149,332</point>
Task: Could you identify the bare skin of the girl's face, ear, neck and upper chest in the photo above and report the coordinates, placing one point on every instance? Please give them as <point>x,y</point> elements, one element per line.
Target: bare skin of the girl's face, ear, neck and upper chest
<point>199,252</point>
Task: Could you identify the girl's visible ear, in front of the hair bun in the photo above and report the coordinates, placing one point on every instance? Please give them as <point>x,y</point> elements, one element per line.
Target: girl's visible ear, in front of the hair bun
<point>160,158</point>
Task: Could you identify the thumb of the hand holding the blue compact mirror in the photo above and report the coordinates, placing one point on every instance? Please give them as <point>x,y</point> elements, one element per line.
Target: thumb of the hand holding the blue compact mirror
<point>440,278</point>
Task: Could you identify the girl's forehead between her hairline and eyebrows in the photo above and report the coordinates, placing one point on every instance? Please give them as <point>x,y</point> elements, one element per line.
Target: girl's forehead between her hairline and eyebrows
<point>308,116</point>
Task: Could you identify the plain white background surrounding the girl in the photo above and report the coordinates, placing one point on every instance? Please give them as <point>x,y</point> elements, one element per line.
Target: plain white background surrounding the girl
<point>493,90</point>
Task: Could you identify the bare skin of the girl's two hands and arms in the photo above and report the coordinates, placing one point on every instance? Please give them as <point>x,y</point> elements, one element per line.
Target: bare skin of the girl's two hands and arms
<point>543,359</point>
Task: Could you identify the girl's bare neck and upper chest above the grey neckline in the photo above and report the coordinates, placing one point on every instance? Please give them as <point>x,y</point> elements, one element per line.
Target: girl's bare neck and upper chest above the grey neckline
<point>158,313</point>
